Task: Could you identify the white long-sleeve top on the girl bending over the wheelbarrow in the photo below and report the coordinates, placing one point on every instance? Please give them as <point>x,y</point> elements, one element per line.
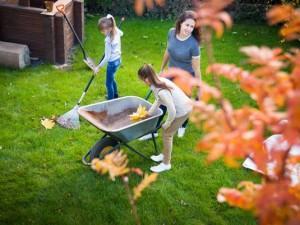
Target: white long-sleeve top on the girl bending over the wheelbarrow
<point>177,103</point>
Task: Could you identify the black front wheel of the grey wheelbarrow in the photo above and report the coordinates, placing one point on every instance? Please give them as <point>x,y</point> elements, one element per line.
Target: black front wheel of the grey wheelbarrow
<point>103,147</point>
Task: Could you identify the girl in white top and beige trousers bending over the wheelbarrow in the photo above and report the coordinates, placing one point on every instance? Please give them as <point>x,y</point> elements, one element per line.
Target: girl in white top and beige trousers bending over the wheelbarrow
<point>178,107</point>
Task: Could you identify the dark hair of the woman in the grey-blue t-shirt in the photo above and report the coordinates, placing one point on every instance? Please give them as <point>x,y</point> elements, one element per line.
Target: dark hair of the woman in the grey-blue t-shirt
<point>189,14</point>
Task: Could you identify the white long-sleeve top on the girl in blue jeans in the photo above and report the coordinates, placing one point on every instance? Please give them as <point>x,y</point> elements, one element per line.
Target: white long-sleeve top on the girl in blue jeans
<point>112,48</point>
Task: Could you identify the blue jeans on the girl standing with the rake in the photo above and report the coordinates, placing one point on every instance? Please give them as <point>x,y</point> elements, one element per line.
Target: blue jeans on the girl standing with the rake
<point>111,85</point>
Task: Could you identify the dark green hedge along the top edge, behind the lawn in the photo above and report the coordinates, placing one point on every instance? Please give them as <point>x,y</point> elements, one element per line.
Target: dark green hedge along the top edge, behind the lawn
<point>240,9</point>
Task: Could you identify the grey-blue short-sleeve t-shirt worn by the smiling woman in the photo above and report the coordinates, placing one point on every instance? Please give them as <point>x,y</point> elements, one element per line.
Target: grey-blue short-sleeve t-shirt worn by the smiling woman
<point>182,52</point>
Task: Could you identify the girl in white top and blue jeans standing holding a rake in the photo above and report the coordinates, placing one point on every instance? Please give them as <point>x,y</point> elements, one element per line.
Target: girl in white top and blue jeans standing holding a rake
<point>107,26</point>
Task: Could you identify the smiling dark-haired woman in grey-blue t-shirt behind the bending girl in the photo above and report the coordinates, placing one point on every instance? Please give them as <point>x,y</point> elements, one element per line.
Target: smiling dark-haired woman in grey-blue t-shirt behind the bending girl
<point>183,49</point>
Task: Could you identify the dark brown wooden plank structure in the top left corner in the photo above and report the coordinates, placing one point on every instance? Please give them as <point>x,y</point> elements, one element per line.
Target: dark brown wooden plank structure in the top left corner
<point>47,35</point>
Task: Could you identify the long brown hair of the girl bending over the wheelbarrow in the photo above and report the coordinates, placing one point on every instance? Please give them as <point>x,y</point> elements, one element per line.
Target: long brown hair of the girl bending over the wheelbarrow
<point>147,72</point>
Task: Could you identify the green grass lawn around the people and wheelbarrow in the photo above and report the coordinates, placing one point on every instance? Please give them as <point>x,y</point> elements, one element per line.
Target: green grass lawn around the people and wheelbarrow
<point>42,179</point>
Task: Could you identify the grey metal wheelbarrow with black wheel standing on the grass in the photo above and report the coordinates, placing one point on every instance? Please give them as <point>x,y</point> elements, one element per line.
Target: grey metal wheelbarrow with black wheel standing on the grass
<point>112,118</point>
